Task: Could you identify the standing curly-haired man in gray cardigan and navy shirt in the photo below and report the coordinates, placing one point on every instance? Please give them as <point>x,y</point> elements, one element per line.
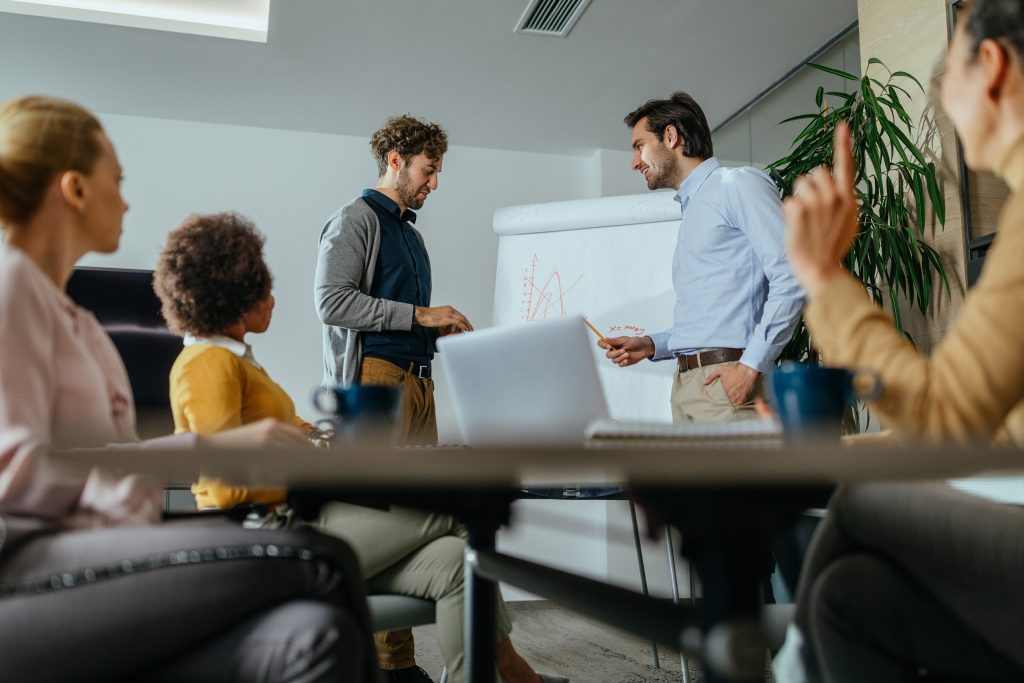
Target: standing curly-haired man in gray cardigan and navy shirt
<point>373,279</point>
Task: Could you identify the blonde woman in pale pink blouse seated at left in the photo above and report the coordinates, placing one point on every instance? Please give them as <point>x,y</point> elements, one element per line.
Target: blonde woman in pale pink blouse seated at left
<point>93,587</point>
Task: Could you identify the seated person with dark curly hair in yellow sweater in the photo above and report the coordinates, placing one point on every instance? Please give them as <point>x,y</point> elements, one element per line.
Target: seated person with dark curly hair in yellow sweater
<point>216,288</point>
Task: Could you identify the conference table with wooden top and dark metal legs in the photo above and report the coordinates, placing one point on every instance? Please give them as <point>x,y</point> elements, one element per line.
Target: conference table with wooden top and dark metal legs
<point>730,501</point>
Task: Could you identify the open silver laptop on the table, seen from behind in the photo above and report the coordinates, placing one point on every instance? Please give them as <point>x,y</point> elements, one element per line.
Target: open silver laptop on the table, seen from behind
<point>532,383</point>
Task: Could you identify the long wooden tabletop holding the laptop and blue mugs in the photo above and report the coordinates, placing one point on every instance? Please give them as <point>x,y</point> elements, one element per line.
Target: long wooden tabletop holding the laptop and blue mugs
<point>670,465</point>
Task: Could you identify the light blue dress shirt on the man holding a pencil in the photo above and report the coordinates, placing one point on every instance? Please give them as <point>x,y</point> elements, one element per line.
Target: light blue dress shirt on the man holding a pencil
<point>735,287</point>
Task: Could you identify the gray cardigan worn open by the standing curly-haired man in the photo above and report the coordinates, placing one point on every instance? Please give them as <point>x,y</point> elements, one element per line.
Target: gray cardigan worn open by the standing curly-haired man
<point>350,244</point>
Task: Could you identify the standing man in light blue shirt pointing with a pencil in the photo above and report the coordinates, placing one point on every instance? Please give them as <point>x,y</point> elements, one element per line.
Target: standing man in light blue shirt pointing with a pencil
<point>737,298</point>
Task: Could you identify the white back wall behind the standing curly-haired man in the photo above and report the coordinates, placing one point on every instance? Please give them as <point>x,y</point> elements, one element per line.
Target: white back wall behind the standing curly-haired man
<point>289,183</point>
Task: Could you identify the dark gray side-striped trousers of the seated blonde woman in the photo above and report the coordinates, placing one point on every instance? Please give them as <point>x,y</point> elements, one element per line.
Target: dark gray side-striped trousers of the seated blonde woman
<point>185,602</point>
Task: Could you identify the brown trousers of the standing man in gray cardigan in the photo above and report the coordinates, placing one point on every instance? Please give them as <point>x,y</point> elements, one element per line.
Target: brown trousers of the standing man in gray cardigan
<point>417,420</point>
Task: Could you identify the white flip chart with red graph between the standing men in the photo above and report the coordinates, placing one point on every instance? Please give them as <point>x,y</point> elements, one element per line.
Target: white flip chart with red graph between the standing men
<point>609,260</point>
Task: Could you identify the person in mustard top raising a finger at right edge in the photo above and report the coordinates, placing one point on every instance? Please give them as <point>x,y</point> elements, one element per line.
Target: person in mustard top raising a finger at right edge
<point>907,582</point>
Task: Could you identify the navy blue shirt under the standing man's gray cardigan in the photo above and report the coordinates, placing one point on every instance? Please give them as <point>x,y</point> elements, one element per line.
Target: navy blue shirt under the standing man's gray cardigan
<point>403,274</point>
